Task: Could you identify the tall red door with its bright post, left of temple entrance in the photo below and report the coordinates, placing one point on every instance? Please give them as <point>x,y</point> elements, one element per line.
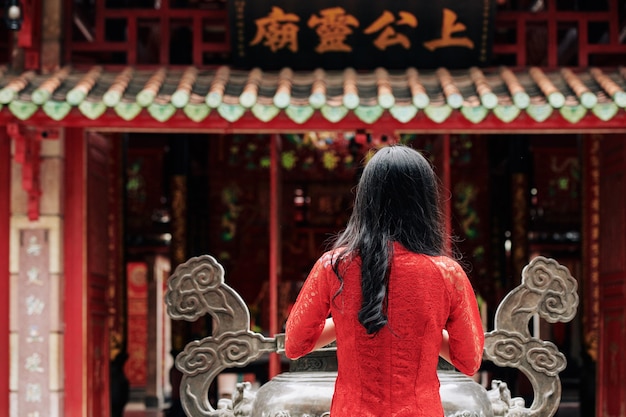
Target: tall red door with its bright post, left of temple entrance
<point>87,263</point>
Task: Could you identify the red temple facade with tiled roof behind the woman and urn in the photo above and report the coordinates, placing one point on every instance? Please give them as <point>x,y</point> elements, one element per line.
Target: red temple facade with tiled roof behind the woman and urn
<point>136,134</point>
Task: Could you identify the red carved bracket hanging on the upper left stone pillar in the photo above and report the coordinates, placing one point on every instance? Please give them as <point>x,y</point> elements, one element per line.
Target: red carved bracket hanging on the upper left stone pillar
<point>28,153</point>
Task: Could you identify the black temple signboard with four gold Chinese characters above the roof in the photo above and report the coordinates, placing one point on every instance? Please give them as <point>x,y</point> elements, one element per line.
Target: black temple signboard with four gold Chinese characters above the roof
<point>363,34</point>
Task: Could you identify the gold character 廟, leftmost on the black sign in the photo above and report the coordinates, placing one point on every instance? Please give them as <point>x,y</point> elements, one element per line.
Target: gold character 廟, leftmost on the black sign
<point>278,29</point>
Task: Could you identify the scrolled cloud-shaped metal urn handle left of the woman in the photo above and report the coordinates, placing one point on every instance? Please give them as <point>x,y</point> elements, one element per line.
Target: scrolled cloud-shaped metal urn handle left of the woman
<point>197,288</point>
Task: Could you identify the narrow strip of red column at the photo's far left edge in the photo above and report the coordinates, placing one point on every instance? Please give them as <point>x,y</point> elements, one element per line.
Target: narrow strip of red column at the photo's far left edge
<point>5,216</point>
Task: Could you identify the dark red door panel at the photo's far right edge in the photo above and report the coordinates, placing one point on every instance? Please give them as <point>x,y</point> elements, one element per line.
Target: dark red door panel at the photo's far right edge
<point>611,399</point>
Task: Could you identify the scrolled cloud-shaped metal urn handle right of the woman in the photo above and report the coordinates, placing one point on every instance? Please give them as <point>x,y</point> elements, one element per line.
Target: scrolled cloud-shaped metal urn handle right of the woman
<point>550,292</point>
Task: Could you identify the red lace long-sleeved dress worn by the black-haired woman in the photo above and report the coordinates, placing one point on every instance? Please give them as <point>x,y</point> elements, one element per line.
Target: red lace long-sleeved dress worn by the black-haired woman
<point>394,372</point>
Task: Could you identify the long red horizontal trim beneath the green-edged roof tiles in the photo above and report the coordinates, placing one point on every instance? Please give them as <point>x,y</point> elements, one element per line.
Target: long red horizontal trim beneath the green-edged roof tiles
<point>456,123</point>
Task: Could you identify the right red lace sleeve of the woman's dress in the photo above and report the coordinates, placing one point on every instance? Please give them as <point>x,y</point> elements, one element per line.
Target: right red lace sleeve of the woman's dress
<point>464,325</point>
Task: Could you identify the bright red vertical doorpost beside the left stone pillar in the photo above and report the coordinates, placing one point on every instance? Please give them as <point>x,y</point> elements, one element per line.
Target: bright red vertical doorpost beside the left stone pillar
<point>74,261</point>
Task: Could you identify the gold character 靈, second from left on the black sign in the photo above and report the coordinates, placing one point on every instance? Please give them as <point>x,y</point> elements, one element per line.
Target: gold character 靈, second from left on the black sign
<point>333,27</point>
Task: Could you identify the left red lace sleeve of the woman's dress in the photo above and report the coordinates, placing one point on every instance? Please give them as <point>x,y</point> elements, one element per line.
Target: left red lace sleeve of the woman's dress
<point>306,319</point>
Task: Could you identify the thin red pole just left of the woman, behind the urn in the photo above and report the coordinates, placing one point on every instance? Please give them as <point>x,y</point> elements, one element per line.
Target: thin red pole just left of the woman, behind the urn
<point>274,232</point>
